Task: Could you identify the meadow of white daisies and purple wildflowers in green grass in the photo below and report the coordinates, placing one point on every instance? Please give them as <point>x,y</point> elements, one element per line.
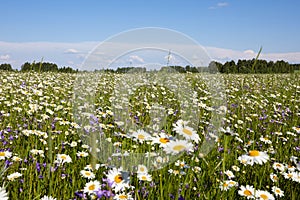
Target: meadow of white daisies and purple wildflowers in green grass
<point>49,151</point>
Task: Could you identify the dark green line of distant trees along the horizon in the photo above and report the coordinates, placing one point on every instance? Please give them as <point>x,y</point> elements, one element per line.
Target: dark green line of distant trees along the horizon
<point>242,67</point>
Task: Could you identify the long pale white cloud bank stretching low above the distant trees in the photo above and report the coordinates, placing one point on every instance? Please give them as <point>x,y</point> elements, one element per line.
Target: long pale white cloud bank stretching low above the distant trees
<point>56,52</point>
